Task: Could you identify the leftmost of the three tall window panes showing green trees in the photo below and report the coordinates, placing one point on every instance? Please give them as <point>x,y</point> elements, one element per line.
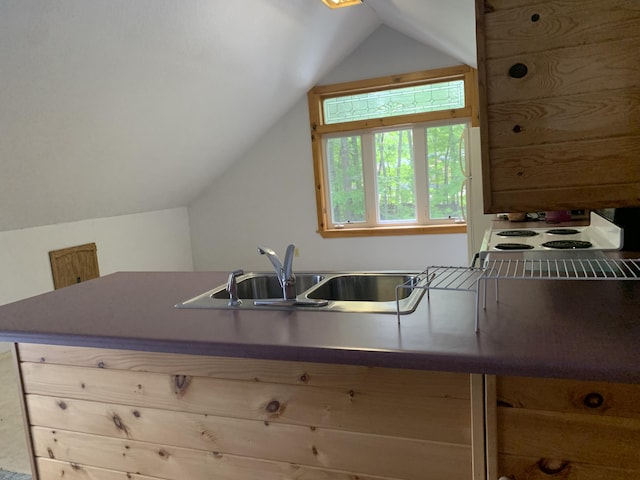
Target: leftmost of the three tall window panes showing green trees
<point>346,179</point>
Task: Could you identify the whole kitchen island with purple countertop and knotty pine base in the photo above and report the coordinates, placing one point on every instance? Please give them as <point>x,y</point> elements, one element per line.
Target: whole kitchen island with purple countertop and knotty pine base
<point>118,381</point>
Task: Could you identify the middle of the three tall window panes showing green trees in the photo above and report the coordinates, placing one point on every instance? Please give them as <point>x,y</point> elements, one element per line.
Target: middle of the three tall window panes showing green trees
<point>395,176</point>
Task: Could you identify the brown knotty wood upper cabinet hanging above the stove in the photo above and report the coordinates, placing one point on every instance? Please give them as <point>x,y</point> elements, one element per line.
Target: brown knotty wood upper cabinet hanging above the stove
<point>559,86</point>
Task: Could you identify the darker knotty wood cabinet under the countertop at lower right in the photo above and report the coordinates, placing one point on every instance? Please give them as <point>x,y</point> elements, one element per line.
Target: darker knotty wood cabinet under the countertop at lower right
<point>566,429</point>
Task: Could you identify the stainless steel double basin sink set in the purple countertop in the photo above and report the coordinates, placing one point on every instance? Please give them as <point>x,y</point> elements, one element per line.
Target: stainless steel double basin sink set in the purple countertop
<point>363,292</point>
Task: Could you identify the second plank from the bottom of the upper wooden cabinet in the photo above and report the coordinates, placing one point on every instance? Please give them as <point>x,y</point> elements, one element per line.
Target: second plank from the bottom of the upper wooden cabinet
<point>569,164</point>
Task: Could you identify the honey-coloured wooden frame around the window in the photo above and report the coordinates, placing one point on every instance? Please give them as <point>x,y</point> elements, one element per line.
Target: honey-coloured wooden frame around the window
<point>319,130</point>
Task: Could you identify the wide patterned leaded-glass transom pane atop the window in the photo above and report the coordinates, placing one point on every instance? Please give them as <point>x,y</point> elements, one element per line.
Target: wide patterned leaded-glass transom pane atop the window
<point>398,101</point>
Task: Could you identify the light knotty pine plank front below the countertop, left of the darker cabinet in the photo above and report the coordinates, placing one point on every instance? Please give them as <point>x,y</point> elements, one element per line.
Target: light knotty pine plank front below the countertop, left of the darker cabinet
<point>109,414</point>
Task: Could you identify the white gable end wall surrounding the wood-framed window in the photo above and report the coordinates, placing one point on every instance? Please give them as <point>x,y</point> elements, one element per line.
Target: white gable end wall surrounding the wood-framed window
<point>267,197</point>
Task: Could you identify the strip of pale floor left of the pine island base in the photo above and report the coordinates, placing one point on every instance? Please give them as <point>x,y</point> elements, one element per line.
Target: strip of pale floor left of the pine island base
<point>13,447</point>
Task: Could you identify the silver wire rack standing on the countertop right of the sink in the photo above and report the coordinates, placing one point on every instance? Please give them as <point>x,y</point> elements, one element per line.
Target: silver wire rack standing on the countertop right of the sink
<point>469,279</point>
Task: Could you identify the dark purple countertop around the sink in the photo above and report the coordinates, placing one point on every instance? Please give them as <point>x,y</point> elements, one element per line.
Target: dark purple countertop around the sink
<point>569,328</point>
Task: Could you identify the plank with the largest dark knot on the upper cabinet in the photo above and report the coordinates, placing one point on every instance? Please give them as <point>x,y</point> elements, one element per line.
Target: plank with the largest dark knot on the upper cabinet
<point>565,71</point>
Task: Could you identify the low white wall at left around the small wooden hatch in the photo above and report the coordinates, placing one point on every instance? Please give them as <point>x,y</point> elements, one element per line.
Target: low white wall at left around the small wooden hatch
<point>150,241</point>
